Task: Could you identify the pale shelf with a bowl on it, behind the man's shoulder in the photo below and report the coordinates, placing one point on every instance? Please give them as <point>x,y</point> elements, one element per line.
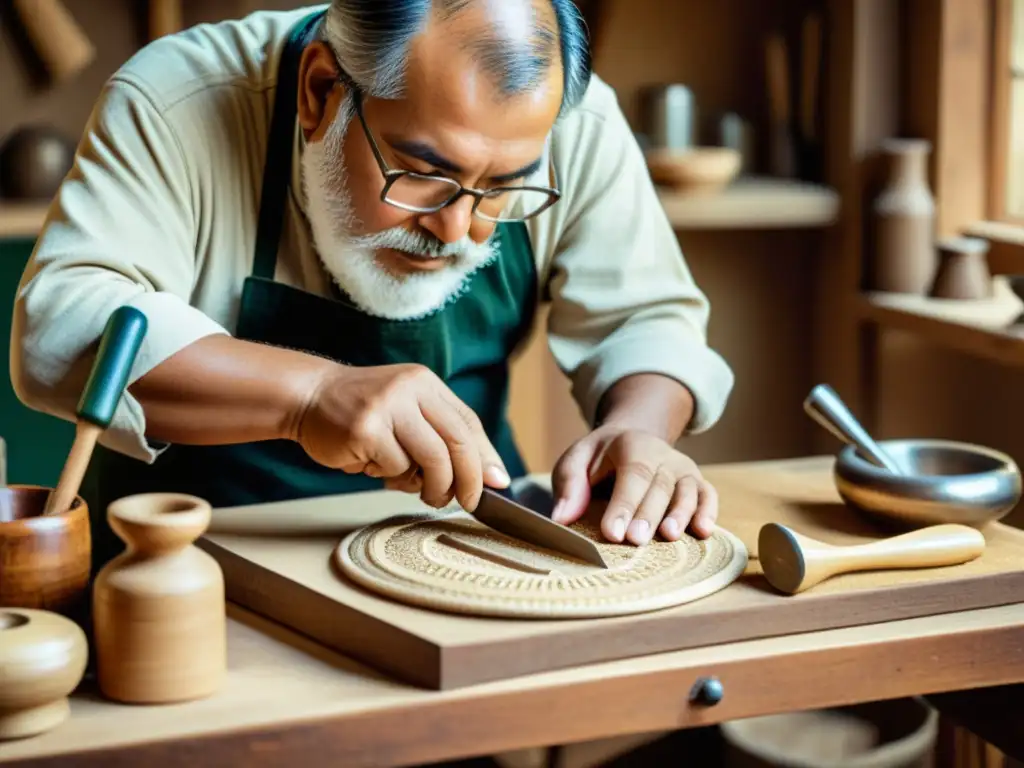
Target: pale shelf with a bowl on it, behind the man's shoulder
<point>753,203</point>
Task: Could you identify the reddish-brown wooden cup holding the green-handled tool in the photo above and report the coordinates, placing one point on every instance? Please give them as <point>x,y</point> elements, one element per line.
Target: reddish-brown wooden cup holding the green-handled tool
<point>45,561</point>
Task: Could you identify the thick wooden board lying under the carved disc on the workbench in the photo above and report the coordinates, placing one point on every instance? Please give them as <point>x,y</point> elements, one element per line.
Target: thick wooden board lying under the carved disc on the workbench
<point>277,562</point>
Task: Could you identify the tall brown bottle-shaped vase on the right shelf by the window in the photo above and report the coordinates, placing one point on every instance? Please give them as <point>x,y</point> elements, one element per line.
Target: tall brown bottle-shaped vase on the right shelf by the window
<point>905,222</point>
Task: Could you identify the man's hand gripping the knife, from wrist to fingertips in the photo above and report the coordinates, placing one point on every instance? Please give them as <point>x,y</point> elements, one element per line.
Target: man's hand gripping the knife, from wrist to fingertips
<point>402,423</point>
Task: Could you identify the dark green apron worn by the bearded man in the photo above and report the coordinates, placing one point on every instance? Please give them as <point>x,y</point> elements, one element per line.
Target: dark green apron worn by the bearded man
<point>467,344</point>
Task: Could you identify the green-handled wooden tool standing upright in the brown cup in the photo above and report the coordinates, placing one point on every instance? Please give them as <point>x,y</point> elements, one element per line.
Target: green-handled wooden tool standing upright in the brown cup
<point>118,350</point>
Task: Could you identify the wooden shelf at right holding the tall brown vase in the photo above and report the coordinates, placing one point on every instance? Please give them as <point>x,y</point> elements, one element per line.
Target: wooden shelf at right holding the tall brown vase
<point>977,328</point>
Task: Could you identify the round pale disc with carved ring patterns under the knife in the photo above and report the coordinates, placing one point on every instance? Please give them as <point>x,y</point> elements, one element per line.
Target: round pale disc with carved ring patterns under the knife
<point>450,562</point>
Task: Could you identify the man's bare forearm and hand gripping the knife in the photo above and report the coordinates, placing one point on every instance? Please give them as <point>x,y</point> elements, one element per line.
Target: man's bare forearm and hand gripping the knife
<point>400,423</point>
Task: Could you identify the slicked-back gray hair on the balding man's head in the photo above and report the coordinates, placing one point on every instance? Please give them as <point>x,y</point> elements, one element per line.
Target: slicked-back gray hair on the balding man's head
<point>371,40</point>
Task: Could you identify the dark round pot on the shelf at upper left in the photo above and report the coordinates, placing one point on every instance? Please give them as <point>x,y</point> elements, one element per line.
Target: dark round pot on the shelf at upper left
<point>34,161</point>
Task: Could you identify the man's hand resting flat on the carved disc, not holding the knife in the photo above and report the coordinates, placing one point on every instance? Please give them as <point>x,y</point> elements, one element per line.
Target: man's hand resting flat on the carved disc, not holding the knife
<point>657,489</point>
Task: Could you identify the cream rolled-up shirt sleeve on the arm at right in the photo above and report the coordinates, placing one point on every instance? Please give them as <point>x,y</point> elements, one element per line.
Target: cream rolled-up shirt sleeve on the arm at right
<point>623,298</point>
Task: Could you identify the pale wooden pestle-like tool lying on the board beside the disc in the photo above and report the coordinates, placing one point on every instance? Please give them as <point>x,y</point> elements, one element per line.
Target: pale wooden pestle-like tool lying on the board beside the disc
<point>793,563</point>
